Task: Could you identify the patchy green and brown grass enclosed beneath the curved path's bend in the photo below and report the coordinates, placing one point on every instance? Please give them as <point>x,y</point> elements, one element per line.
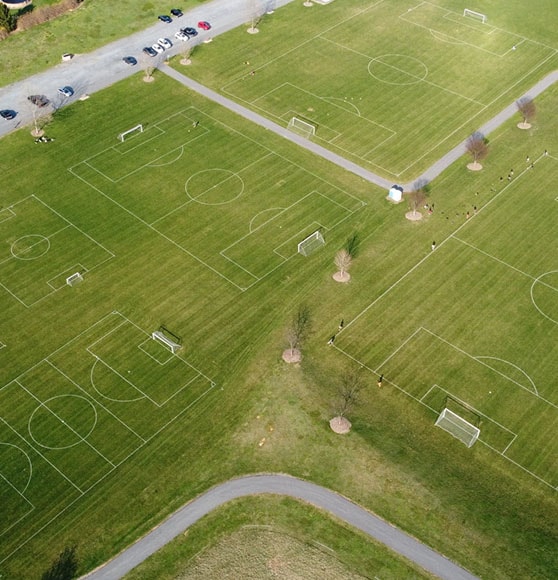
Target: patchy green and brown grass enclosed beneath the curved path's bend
<point>264,536</point>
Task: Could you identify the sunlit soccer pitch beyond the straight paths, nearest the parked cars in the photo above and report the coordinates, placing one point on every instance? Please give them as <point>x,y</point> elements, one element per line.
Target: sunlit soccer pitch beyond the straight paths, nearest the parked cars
<point>379,78</point>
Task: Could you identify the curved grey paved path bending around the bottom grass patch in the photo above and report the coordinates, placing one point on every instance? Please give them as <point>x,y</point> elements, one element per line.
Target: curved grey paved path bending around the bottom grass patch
<point>314,494</point>
